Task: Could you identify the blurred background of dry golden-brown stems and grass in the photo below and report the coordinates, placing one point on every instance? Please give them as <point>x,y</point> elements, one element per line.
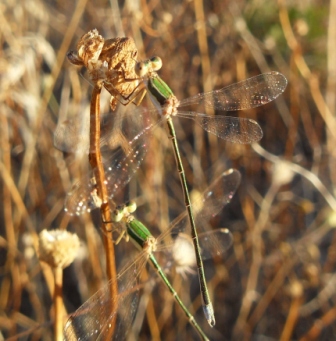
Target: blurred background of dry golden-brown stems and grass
<point>277,281</point>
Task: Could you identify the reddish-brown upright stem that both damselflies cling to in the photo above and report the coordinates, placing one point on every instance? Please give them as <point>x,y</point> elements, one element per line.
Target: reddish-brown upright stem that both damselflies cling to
<point>97,165</point>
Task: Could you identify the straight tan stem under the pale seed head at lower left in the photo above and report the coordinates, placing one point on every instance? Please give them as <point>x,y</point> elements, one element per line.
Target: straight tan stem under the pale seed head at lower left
<point>58,304</point>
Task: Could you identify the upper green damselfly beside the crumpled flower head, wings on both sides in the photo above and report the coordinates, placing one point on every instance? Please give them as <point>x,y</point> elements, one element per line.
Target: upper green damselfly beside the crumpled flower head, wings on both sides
<point>250,93</point>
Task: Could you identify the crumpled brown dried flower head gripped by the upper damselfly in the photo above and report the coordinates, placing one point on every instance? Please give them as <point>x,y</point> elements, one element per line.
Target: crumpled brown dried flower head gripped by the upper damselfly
<point>110,61</point>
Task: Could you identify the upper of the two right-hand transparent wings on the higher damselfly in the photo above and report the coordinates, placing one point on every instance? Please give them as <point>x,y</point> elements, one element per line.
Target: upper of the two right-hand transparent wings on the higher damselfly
<point>250,93</point>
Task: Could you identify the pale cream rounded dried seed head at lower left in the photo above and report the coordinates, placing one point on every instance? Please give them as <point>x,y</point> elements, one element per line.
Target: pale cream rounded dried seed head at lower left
<point>58,248</point>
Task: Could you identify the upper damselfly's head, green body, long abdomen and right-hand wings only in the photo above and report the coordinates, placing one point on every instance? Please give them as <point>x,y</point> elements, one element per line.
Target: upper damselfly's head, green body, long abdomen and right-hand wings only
<point>252,92</point>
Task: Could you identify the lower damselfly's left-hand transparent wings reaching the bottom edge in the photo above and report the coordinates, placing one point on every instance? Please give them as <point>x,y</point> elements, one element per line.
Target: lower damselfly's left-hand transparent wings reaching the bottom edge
<point>93,320</point>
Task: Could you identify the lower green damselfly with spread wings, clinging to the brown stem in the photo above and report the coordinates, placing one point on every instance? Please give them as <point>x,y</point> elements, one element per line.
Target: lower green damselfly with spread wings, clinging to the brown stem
<point>91,321</point>
